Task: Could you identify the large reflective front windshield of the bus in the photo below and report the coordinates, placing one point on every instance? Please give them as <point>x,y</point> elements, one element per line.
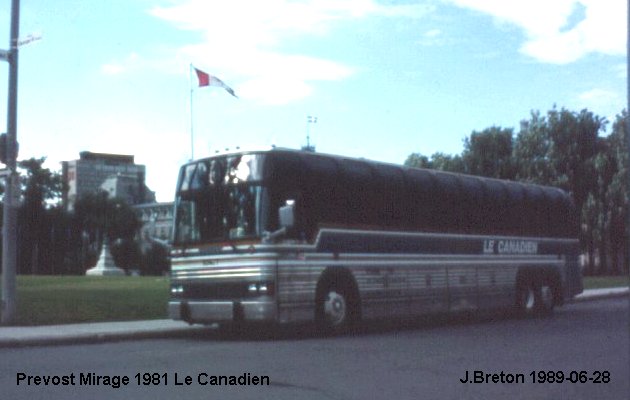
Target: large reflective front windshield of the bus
<point>220,199</point>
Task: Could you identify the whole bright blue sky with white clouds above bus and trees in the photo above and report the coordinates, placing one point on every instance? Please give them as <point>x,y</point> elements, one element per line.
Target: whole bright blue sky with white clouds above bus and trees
<point>384,78</point>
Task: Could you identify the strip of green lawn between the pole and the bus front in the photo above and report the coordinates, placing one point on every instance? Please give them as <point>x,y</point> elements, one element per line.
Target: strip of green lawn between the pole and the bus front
<point>45,300</point>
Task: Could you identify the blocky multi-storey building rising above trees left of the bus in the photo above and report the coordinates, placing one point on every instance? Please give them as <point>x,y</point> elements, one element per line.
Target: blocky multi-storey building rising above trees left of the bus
<point>116,174</point>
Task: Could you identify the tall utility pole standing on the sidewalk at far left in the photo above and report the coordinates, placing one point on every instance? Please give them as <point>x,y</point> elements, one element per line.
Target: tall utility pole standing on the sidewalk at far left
<point>9,225</point>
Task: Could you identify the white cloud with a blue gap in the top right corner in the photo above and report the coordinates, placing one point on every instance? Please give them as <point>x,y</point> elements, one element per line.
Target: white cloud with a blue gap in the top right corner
<point>561,31</point>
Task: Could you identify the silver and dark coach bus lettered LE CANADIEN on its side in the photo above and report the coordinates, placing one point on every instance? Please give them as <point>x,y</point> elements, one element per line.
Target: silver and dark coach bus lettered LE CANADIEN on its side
<point>283,236</point>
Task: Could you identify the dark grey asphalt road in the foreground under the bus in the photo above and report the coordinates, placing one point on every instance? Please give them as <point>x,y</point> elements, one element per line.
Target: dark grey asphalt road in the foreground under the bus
<point>427,360</point>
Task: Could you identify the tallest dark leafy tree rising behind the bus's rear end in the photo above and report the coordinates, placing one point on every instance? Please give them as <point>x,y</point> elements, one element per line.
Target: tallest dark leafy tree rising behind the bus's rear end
<point>563,149</point>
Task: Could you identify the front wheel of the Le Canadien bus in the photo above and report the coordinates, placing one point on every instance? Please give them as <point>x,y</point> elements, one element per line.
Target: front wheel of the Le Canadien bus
<point>337,307</point>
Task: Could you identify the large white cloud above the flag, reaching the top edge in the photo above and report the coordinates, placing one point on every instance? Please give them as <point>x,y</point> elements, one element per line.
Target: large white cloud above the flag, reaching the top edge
<point>242,41</point>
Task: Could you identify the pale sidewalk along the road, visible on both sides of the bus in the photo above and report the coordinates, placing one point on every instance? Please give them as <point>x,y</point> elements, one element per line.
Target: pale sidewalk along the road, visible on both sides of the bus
<point>112,331</point>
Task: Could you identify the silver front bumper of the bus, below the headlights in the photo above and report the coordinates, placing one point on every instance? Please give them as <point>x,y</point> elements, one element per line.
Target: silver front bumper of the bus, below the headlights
<point>222,311</point>
